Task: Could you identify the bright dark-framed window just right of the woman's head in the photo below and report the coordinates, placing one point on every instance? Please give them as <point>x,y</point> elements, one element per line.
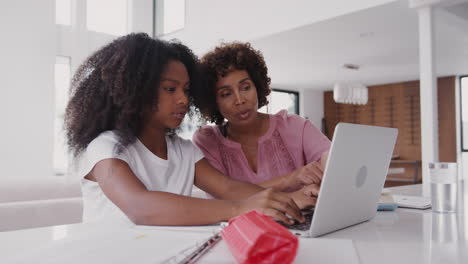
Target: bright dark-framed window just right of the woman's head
<point>282,99</point>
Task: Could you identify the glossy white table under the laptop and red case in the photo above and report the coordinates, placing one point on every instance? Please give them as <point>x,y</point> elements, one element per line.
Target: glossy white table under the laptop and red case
<point>402,236</point>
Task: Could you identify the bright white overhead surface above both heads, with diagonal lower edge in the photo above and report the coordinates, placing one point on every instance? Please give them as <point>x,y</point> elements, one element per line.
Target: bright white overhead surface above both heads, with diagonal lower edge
<point>210,22</point>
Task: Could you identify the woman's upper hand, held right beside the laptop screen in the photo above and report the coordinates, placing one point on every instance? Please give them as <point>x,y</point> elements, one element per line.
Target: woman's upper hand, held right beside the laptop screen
<point>311,173</point>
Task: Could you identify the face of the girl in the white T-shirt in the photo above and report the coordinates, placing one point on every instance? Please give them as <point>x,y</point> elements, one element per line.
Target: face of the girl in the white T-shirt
<point>172,102</point>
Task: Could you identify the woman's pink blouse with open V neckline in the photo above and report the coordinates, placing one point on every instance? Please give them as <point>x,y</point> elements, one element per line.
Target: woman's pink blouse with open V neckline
<point>290,143</point>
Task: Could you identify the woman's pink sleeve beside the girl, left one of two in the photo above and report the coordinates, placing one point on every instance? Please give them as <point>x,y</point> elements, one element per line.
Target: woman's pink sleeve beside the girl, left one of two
<point>206,140</point>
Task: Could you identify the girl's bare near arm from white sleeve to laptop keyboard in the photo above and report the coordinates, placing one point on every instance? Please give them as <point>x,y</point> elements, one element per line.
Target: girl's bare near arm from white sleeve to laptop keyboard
<point>144,207</point>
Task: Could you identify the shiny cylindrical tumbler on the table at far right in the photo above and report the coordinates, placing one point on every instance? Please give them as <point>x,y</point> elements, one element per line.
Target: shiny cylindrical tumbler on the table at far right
<point>443,186</point>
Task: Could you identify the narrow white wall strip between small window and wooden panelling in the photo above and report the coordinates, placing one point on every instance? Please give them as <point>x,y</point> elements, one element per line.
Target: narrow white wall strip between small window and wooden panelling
<point>311,106</point>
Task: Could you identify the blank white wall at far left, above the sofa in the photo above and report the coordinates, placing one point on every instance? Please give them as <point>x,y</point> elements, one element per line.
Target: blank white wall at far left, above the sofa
<point>27,53</point>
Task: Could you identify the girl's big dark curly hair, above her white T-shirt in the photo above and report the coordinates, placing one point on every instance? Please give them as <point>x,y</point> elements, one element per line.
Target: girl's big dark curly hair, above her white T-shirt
<point>114,88</point>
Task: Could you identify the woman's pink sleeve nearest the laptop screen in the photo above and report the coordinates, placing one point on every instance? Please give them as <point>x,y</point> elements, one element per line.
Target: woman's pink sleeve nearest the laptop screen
<point>314,142</point>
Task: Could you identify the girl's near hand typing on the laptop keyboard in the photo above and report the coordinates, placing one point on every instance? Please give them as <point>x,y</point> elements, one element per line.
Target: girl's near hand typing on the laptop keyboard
<point>272,203</point>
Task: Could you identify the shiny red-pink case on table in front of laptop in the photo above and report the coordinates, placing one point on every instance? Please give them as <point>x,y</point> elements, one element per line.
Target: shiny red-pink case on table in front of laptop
<point>255,238</point>
